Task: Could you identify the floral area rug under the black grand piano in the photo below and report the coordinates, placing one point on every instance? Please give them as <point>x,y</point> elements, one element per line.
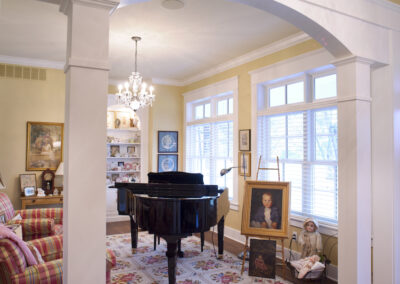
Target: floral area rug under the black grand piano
<point>150,266</point>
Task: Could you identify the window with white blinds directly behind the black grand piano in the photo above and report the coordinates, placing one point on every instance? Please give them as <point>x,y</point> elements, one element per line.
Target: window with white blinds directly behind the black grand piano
<point>211,137</point>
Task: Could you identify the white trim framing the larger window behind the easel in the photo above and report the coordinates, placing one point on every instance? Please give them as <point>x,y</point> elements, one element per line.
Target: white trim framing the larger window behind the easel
<point>310,61</point>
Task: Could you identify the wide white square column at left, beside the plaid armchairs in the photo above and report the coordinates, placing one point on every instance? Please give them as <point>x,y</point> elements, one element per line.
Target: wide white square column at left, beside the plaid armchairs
<point>85,136</point>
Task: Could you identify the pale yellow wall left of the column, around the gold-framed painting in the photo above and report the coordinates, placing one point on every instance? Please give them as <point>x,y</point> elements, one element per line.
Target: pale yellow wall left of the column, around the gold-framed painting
<point>23,100</point>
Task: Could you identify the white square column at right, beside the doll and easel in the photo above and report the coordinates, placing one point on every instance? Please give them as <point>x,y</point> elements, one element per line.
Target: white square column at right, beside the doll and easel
<point>354,143</point>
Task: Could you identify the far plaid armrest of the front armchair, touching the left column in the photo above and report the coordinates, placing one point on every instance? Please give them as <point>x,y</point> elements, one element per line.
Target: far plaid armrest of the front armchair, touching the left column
<point>50,248</point>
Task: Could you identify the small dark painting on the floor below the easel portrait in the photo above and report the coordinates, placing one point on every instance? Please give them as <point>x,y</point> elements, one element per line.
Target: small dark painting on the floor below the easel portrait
<point>262,258</point>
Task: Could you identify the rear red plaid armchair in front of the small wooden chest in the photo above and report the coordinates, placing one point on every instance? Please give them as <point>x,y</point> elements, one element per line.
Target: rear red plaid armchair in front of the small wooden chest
<point>35,223</point>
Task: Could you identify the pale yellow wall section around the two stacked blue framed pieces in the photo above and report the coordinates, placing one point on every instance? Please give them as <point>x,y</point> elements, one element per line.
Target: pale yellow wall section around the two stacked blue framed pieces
<point>166,114</point>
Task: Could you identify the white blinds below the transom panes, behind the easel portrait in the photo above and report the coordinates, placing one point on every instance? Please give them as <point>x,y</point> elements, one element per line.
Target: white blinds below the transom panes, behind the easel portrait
<point>306,143</point>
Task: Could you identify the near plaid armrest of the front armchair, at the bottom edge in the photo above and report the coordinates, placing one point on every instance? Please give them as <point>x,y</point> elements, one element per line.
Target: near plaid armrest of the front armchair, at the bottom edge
<point>48,272</point>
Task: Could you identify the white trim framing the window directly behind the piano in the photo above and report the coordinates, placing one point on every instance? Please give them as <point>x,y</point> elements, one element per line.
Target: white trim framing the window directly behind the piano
<point>222,87</point>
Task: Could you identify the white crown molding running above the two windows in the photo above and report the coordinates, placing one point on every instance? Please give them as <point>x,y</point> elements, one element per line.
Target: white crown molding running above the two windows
<point>253,55</point>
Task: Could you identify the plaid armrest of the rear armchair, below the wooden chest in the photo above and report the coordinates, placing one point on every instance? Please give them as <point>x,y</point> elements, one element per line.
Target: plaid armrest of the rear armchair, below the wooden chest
<point>35,228</point>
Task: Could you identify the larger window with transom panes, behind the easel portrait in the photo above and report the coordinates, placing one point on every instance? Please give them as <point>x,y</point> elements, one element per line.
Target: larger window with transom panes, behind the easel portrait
<point>304,137</point>
